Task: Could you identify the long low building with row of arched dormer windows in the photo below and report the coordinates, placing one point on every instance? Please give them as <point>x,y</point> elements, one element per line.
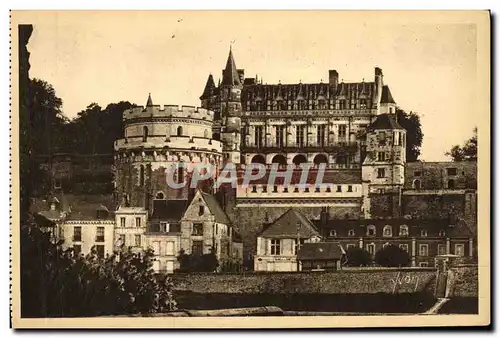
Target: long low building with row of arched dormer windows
<point>423,239</point>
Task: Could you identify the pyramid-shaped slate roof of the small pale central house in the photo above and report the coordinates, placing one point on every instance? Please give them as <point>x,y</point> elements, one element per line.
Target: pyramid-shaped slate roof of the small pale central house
<point>285,226</point>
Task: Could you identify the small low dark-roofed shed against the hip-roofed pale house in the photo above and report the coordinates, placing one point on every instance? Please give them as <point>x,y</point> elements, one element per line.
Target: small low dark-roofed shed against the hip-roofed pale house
<point>320,256</point>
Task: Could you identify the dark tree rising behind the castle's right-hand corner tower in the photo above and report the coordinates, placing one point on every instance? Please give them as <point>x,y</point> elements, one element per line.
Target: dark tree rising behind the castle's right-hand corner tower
<point>414,136</point>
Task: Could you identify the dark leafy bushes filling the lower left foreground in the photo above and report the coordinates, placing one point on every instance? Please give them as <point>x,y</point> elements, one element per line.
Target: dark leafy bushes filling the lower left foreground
<point>57,282</point>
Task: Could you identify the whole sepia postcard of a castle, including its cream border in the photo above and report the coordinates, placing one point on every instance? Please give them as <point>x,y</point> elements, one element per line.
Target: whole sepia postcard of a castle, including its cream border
<point>250,169</point>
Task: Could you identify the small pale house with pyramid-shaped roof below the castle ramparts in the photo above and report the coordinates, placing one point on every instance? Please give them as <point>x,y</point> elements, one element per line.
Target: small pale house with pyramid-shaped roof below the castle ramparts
<point>279,241</point>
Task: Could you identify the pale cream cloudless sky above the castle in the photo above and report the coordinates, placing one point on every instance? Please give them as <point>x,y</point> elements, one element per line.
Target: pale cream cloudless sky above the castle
<point>105,57</point>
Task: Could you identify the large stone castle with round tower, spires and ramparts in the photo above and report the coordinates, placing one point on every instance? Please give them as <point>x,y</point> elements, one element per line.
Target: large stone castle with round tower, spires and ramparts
<point>351,128</point>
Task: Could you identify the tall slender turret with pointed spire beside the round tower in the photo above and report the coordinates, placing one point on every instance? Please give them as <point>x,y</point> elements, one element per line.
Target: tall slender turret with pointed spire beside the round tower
<point>230,92</point>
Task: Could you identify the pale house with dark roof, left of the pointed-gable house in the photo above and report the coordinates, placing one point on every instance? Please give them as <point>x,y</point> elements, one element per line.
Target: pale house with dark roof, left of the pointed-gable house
<point>163,233</point>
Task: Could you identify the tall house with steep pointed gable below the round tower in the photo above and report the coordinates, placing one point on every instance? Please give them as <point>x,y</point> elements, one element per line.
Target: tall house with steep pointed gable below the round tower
<point>205,227</point>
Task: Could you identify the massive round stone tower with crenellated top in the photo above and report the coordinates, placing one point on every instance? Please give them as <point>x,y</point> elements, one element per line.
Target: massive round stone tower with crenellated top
<point>161,148</point>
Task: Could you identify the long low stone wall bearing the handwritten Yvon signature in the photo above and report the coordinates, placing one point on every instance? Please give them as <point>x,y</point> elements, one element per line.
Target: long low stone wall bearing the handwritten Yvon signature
<point>366,281</point>
